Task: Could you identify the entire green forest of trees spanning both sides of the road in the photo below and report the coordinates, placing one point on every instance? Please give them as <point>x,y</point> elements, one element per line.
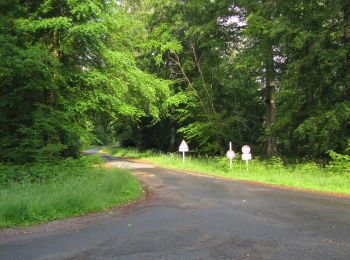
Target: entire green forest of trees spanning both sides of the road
<point>272,74</point>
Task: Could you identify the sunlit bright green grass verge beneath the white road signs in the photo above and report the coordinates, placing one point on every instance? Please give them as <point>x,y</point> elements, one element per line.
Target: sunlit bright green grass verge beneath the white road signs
<point>334,178</point>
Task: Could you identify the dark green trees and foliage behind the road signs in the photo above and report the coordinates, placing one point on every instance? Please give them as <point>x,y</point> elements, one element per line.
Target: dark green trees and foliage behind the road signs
<point>266,73</point>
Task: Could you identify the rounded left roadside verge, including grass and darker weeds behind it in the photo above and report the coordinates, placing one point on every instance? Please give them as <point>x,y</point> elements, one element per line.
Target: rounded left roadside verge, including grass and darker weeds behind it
<point>43,192</point>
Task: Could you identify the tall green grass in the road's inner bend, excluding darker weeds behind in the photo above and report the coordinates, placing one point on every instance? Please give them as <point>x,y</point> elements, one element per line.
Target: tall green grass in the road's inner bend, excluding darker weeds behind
<point>94,189</point>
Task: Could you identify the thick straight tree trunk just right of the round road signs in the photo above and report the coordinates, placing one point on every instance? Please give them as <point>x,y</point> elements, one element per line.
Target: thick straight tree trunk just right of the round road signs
<point>270,102</point>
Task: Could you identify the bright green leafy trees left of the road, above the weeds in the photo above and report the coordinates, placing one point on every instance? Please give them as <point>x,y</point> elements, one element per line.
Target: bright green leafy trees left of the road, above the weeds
<point>69,76</point>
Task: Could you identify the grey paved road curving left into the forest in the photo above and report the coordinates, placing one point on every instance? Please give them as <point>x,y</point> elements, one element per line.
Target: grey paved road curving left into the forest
<point>194,217</point>
